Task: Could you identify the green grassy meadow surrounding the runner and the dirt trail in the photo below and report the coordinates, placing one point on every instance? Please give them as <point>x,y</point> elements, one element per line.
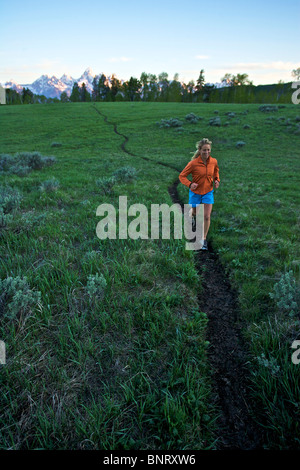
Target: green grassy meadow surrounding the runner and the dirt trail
<point>107,345</point>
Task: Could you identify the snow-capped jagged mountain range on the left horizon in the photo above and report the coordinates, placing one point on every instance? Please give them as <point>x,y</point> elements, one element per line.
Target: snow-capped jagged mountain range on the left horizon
<point>52,87</point>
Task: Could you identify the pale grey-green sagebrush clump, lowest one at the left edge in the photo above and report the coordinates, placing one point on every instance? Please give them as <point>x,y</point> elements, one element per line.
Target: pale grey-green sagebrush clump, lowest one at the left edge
<point>16,297</point>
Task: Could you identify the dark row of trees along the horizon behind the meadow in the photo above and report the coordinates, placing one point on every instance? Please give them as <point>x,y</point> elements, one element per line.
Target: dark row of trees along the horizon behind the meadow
<point>236,89</point>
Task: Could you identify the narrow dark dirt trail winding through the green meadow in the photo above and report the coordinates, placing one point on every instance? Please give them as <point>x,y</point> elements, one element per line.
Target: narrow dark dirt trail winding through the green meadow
<point>227,353</point>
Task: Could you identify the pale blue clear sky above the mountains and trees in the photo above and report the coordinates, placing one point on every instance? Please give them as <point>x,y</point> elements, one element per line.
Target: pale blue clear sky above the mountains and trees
<point>128,37</point>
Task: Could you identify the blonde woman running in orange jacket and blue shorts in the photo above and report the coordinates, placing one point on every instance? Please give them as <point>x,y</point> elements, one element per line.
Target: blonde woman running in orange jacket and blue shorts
<point>205,171</point>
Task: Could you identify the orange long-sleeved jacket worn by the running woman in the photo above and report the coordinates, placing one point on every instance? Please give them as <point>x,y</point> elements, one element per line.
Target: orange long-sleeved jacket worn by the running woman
<point>203,174</point>
